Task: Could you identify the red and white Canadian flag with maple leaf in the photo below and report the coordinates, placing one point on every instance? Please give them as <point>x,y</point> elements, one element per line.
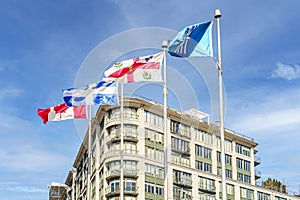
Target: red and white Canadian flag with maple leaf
<point>62,112</point>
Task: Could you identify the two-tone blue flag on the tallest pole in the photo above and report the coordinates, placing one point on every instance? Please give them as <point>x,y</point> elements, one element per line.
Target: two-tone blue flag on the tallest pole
<point>193,41</point>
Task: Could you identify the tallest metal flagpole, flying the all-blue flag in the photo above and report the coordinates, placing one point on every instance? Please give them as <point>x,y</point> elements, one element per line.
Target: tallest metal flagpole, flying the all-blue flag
<point>218,16</point>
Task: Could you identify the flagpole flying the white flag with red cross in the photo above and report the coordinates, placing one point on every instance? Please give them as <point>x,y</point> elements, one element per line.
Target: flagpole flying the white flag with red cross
<point>164,46</point>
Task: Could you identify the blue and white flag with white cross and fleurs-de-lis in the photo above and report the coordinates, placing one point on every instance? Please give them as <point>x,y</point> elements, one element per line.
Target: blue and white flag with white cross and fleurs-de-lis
<point>102,93</point>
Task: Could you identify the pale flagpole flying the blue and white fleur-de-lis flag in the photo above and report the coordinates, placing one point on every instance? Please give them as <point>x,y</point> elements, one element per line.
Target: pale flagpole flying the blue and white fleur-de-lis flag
<point>122,143</point>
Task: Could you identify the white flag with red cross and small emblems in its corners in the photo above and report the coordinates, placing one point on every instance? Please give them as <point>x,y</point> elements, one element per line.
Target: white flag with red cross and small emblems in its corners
<point>146,68</point>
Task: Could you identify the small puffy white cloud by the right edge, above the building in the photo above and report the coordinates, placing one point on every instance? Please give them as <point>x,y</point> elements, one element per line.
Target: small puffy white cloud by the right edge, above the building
<point>288,72</point>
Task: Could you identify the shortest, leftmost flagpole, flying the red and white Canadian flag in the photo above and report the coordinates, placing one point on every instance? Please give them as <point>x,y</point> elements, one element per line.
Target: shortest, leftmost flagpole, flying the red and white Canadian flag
<point>89,154</point>
